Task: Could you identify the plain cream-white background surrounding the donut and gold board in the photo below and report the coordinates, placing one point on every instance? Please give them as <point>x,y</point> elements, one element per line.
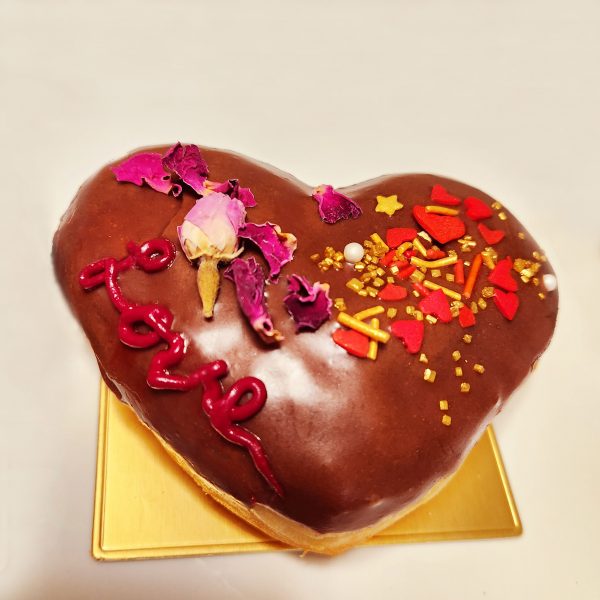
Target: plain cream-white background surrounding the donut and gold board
<point>503,95</point>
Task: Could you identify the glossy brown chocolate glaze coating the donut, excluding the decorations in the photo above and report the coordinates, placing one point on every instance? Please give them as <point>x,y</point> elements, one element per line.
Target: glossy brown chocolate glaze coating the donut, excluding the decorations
<point>350,440</point>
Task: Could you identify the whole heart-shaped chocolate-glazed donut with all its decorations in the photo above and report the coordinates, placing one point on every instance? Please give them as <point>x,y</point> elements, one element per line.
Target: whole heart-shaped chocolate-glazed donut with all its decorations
<point>261,355</point>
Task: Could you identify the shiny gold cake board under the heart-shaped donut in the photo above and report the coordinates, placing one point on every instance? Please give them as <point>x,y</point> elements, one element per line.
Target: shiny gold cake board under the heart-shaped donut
<point>147,507</point>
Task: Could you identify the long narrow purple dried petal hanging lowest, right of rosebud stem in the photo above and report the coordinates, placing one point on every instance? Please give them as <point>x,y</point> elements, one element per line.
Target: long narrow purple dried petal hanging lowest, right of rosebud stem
<point>249,279</point>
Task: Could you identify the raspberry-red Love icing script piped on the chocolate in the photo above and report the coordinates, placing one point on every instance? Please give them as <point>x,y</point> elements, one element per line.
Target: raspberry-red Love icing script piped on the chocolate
<point>222,408</point>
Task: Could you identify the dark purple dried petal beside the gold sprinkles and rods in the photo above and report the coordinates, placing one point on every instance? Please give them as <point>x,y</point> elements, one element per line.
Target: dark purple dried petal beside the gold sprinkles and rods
<point>309,305</point>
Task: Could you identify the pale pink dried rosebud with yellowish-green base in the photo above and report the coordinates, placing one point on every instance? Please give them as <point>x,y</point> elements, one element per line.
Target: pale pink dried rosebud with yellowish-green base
<point>210,233</point>
